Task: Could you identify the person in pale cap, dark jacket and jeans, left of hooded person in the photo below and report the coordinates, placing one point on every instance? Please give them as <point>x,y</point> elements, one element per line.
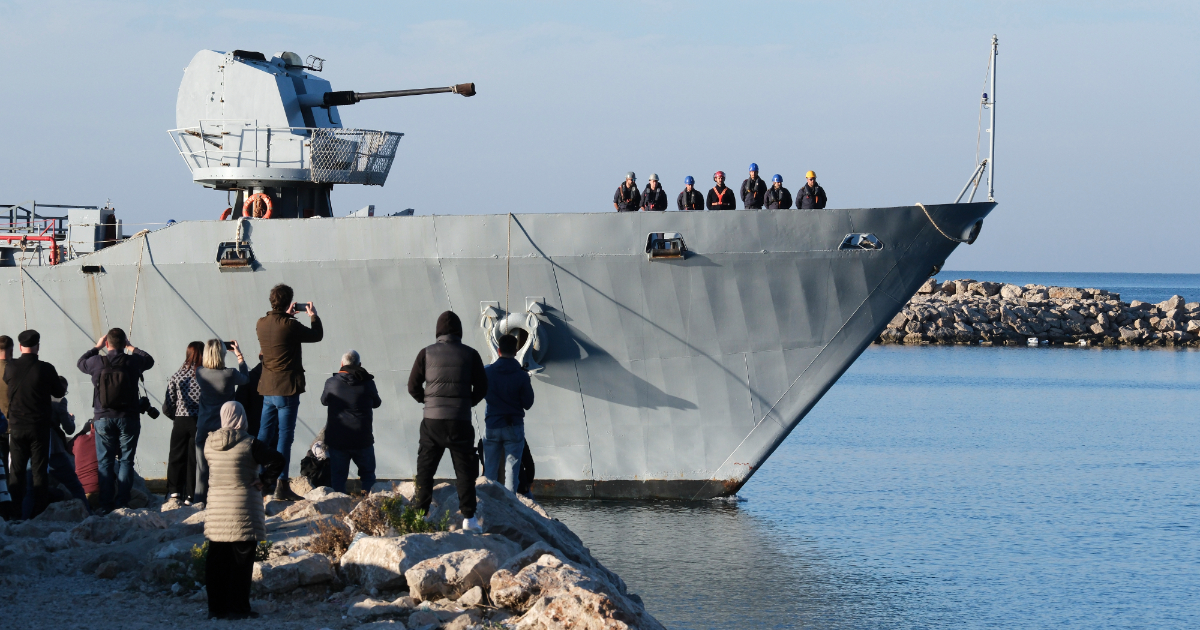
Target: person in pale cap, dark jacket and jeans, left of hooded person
<point>352,398</point>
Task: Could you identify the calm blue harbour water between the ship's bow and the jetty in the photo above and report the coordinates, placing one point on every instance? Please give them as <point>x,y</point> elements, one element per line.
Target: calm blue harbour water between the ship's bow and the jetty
<point>945,488</point>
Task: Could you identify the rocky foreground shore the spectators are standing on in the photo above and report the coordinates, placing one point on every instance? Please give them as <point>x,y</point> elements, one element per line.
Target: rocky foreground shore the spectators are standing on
<point>337,561</point>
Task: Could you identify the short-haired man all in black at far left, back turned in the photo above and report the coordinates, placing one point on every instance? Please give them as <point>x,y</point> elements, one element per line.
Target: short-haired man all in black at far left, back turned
<point>32,385</point>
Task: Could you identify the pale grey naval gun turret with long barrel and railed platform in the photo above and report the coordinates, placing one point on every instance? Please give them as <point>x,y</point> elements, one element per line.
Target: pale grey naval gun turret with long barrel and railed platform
<point>271,131</point>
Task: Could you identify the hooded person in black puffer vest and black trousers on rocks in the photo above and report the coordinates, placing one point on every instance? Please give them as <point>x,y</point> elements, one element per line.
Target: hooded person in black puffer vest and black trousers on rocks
<point>449,380</point>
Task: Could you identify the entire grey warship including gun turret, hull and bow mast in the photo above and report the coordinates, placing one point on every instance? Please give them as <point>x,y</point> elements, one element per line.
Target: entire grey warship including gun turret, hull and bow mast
<point>671,352</point>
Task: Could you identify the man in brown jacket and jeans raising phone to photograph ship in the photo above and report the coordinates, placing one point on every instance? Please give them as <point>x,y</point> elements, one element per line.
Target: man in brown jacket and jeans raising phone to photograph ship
<point>283,382</point>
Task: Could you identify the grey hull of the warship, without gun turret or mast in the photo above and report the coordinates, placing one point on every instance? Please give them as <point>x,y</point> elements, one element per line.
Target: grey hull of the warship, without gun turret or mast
<point>670,379</point>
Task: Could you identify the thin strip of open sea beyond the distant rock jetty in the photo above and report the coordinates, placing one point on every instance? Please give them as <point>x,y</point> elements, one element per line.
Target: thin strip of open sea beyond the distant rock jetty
<point>1145,287</point>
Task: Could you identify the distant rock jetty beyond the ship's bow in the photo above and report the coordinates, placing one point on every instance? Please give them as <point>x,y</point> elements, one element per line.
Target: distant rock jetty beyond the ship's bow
<point>965,311</point>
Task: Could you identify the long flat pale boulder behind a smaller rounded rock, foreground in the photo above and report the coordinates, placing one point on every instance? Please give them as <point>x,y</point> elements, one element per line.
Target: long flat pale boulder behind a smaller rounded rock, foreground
<point>382,562</point>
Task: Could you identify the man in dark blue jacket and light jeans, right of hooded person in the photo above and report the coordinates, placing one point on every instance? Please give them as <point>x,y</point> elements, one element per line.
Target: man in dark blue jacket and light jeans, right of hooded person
<point>509,395</point>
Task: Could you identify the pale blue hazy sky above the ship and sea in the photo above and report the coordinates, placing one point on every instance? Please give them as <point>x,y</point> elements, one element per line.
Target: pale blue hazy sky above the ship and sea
<point>1096,140</point>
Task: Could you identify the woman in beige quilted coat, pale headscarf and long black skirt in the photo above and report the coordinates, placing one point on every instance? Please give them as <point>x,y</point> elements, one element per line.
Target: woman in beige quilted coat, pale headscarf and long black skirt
<point>235,523</point>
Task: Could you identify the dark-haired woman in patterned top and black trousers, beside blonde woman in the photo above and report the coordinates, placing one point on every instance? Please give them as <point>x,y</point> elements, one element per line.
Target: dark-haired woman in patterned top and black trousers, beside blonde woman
<point>183,406</point>
